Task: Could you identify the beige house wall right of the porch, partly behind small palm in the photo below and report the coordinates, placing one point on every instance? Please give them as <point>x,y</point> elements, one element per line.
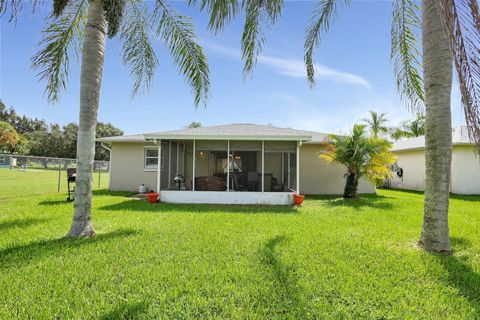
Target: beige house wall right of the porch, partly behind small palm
<point>319,177</point>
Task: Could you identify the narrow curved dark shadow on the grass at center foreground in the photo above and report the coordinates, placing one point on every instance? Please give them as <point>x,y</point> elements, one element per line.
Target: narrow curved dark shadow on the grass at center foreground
<point>290,303</point>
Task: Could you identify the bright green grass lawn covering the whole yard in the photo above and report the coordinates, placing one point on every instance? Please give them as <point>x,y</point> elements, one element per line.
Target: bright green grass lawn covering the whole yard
<point>331,259</point>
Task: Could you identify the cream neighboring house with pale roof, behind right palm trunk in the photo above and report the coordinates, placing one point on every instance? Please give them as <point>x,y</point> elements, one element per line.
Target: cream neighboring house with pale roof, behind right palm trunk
<point>410,171</point>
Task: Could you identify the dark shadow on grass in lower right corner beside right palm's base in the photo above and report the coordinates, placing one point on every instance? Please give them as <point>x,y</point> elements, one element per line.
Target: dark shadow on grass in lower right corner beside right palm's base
<point>460,274</point>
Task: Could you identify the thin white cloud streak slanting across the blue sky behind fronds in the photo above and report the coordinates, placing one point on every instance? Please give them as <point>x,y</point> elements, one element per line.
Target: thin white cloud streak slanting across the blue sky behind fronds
<point>294,67</point>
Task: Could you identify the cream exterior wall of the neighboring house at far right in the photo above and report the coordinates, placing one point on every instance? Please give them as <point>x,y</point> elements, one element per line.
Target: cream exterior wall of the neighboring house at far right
<point>465,174</point>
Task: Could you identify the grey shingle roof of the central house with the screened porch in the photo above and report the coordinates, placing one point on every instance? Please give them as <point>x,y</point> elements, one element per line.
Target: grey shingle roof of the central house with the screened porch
<point>231,131</point>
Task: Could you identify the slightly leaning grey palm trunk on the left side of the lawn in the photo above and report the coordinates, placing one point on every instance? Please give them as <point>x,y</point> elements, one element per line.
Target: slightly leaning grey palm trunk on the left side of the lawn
<point>90,82</point>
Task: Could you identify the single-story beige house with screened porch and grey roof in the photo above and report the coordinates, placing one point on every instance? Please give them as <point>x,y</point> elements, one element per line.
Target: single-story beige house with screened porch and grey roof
<point>267,163</point>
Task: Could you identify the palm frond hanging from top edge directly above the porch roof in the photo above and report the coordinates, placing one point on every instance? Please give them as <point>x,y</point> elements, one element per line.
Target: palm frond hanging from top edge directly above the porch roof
<point>259,15</point>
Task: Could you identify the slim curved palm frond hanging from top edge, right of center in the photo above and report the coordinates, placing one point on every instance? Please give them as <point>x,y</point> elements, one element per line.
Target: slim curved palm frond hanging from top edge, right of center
<point>323,13</point>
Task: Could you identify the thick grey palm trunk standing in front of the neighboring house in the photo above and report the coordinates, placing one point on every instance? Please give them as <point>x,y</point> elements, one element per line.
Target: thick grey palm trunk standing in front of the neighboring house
<point>437,64</point>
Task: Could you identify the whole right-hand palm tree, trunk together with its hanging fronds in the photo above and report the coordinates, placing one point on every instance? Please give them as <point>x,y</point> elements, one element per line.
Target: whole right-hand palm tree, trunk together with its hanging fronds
<point>450,30</point>
